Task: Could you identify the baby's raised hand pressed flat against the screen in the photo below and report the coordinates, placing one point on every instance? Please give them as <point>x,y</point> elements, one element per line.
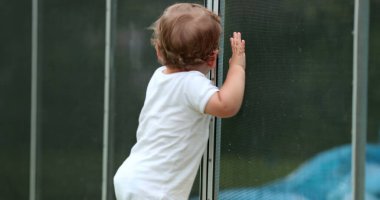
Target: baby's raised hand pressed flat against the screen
<point>238,50</point>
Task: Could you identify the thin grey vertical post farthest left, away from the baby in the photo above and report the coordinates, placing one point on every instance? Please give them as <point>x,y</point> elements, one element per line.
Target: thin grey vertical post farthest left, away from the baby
<point>33,112</point>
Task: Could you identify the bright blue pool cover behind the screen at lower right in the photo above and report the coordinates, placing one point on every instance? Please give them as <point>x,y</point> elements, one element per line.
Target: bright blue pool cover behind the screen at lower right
<point>327,176</point>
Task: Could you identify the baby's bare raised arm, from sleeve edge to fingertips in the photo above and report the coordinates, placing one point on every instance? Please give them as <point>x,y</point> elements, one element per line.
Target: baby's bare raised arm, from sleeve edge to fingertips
<point>227,102</point>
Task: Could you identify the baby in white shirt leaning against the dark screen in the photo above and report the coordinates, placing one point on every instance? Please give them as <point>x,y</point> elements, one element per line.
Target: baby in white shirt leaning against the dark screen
<point>180,100</point>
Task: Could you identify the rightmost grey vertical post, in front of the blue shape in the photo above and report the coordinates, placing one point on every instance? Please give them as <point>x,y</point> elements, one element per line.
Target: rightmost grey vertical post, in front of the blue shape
<point>359,98</point>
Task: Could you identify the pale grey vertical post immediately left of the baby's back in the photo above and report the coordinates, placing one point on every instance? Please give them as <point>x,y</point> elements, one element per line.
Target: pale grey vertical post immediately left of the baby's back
<point>108,86</point>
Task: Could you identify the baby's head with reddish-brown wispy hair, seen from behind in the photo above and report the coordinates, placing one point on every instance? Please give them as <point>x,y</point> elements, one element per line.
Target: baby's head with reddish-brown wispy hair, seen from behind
<point>186,35</point>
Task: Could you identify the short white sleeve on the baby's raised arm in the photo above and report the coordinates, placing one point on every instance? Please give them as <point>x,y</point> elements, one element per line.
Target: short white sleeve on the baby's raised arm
<point>199,91</point>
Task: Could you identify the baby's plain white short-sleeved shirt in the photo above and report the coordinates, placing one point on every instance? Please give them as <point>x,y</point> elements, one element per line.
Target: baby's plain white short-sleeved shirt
<point>171,138</point>
